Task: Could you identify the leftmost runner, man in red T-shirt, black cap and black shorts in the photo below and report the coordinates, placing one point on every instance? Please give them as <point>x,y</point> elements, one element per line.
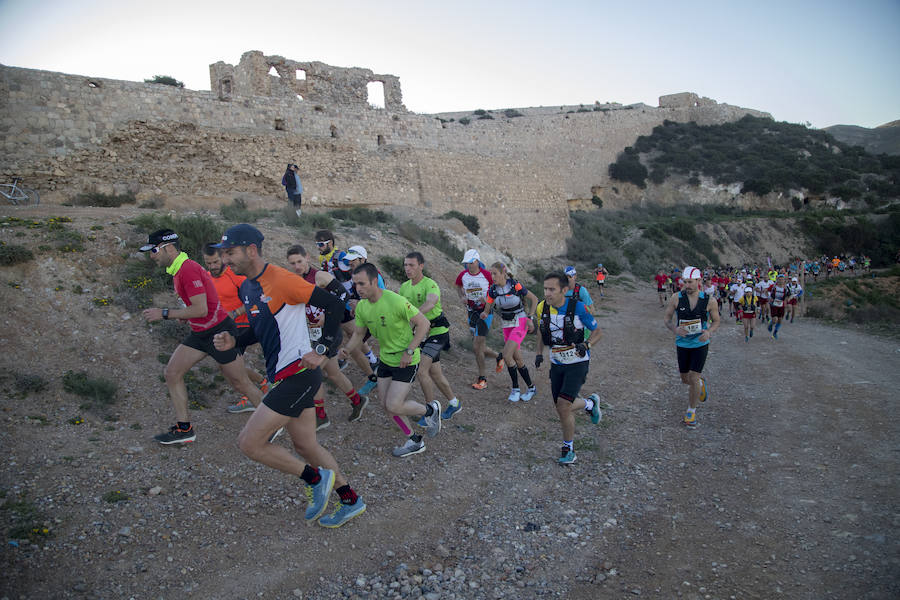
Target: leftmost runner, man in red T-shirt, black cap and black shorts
<point>204,313</point>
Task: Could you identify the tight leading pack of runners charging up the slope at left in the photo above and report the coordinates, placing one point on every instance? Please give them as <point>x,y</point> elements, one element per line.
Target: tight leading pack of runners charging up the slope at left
<point>318,313</point>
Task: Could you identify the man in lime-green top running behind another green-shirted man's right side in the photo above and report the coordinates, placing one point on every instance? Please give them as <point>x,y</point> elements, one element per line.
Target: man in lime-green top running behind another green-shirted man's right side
<point>424,293</point>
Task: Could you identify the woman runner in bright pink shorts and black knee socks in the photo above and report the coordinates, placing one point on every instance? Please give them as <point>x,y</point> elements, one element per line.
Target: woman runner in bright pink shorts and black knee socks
<point>508,299</point>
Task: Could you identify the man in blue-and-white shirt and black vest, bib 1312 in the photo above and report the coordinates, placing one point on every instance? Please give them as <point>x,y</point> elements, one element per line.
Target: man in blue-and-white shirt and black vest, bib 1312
<point>562,324</point>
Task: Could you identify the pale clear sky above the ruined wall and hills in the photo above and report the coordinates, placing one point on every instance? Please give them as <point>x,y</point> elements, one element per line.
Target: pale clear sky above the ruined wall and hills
<point>826,62</point>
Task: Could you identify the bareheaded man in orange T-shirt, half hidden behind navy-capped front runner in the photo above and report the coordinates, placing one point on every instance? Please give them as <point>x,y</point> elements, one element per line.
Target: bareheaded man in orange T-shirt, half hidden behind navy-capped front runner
<point>227,285</point>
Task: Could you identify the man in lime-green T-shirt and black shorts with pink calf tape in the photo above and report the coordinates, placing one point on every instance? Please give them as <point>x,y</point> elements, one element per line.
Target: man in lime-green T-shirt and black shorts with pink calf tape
<point>400,329</point>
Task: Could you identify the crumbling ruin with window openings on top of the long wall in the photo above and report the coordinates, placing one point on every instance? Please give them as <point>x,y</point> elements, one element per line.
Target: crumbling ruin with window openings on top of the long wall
<point>307,81</point>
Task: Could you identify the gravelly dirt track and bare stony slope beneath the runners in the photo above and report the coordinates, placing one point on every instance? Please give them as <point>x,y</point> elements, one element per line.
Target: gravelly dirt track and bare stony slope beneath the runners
<point>786,489</point>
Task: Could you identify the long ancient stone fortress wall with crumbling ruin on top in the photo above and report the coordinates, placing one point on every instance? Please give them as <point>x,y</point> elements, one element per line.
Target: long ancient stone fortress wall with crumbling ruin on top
<point>65,133</point>
